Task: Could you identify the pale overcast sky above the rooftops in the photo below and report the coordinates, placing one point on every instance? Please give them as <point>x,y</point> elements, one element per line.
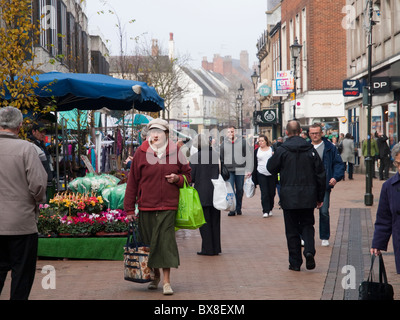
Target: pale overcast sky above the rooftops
<point>201,28</point>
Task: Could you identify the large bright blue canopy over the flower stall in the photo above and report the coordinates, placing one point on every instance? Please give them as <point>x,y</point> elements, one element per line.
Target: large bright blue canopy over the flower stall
<point>87,91</point>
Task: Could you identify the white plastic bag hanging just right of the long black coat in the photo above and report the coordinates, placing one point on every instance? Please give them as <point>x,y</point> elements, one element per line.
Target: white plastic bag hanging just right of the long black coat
<point>224,197</point>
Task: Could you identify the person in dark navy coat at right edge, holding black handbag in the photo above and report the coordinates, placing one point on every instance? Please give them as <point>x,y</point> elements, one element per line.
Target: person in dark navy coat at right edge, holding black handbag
<point>388,215</point>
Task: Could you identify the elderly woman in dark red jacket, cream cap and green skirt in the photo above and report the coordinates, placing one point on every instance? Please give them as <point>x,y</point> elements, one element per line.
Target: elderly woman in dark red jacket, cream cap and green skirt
<point>154,180</point>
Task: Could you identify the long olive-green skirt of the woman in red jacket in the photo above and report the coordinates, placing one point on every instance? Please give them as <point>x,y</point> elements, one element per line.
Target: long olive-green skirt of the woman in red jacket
<point>157,229</point>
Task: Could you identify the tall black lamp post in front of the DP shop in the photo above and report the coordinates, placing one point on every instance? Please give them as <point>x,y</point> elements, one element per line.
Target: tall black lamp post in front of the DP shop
<point>369,197</point>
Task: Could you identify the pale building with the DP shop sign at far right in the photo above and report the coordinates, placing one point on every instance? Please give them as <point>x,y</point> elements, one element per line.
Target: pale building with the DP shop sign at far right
<point>385,68</point>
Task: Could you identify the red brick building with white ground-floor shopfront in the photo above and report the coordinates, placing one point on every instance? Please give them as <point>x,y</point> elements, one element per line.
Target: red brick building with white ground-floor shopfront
<point>321,66</point>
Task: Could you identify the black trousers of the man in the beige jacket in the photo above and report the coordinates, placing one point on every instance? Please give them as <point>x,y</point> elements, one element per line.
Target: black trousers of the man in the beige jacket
<point>19,254</point>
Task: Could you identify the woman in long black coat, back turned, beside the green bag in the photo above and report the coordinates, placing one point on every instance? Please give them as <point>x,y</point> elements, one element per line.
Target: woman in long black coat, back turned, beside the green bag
<point>205,166</point>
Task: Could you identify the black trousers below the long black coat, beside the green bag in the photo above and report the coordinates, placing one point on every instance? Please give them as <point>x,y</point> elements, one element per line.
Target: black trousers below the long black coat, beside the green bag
<point>211,231</point>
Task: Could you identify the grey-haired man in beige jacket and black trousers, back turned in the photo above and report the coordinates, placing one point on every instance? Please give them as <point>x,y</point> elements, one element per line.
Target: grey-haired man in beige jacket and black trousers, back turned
<point>23,183</point>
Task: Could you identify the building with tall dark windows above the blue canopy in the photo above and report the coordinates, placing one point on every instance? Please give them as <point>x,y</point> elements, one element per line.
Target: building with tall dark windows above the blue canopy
<point>65,44</point>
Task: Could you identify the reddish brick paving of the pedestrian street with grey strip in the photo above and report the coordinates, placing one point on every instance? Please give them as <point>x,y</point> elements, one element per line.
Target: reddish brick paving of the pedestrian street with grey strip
<point>253,264</point>
